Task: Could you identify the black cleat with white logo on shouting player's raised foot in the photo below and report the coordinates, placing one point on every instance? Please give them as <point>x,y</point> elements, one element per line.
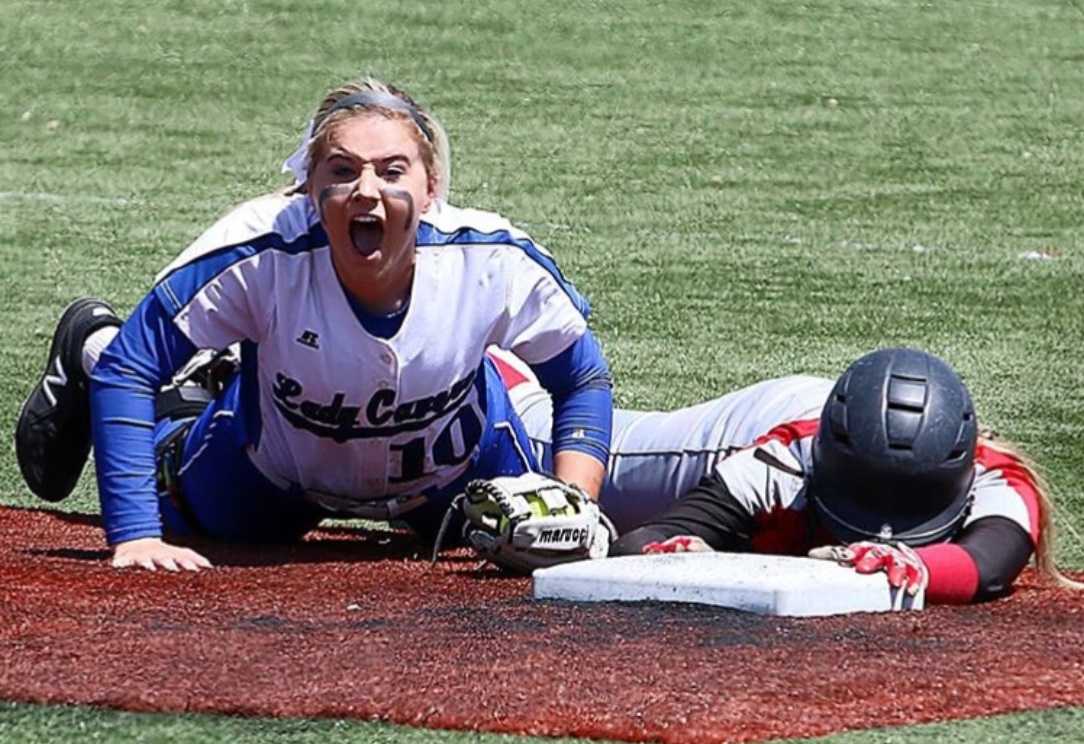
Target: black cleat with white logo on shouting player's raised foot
<point>53,437</point>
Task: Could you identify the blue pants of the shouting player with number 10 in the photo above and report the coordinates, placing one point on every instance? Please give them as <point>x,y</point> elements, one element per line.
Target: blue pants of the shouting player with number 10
<point>226,497</point>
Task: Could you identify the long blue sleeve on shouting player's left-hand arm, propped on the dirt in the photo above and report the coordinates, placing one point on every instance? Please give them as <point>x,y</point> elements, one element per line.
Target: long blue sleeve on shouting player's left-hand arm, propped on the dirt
<point>146,354</point>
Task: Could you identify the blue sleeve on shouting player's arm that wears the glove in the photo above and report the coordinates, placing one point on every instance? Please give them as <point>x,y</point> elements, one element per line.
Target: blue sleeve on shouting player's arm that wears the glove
<point>579,382</point>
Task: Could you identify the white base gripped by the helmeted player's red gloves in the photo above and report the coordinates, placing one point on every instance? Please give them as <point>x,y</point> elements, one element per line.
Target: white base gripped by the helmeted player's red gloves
<point>768,585</point>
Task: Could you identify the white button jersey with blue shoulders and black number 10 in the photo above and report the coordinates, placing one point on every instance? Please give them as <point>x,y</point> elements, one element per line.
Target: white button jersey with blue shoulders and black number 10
<point>334,408</point>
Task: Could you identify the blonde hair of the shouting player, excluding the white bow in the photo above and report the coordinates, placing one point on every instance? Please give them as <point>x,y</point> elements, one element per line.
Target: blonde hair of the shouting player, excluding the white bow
<point>429,133</point>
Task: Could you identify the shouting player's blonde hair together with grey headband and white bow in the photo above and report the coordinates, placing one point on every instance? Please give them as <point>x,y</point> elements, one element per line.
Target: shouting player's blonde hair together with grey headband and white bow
<point>370,95</point>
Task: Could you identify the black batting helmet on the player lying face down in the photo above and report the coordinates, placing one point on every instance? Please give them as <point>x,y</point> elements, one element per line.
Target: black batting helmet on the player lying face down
<point>894,456</point>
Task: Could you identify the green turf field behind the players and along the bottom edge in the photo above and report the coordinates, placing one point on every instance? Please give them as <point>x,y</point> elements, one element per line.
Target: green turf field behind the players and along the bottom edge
<point>743,193</point>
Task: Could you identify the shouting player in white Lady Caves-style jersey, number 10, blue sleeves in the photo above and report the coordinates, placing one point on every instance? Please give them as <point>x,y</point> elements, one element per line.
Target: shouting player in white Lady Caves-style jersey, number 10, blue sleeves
<point>363,304</point>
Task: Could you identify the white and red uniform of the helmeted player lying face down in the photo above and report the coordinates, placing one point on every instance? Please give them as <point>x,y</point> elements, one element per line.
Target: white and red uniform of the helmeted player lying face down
<point>657,457</point>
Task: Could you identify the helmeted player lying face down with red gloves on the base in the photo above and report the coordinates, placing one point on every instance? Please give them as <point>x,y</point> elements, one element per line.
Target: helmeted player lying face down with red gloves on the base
<point>884,470</point>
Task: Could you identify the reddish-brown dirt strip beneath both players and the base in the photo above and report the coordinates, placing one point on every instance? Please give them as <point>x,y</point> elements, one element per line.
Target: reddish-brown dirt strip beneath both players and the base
<point>356,625</point>
